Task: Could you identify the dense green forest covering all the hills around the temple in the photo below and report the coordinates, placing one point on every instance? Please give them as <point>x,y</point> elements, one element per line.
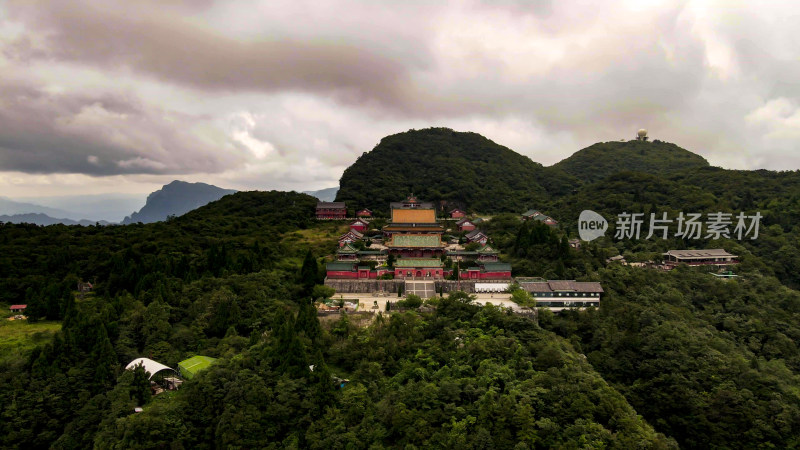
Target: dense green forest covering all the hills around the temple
<point>670,359</point>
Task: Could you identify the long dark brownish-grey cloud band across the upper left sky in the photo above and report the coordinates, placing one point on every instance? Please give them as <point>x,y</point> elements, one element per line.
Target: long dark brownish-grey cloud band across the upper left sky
<point>160,42</point>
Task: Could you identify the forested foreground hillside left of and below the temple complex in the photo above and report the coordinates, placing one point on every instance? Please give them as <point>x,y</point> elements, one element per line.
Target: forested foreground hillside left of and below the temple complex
<point>226,281</point>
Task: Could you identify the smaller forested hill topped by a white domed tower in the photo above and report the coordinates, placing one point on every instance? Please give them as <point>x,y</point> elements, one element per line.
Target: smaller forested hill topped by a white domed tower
<point>604,159</point>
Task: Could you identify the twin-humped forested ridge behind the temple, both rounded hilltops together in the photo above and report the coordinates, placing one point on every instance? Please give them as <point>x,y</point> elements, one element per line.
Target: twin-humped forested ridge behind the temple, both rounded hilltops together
<point>469,171</point>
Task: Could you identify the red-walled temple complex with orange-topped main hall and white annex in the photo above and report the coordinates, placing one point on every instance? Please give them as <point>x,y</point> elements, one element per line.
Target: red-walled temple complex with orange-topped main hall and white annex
<point>414,258</point>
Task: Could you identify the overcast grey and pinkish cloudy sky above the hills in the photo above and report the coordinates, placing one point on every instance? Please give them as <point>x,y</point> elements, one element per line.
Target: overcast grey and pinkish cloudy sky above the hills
<point>98,97</point>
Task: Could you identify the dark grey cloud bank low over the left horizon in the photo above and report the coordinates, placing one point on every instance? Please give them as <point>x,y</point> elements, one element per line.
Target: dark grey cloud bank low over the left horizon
<point>98,134</point>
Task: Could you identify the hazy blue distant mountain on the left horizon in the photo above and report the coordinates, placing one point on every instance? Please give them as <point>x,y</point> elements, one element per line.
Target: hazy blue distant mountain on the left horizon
<point>175,199</point>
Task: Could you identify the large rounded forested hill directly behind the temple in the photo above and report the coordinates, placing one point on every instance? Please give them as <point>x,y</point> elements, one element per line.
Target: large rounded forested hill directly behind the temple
<point>441,165</point>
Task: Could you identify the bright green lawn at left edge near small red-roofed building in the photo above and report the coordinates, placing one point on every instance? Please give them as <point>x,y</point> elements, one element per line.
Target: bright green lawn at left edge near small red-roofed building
<point>18,337</point>
